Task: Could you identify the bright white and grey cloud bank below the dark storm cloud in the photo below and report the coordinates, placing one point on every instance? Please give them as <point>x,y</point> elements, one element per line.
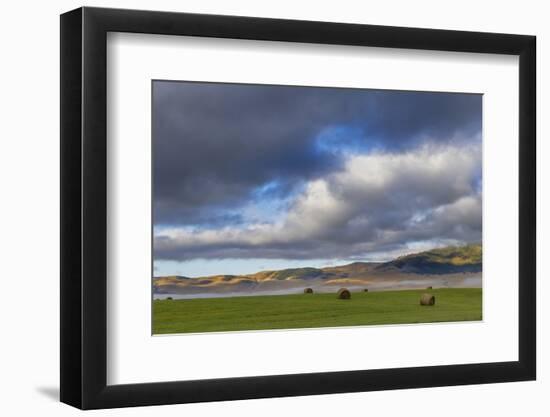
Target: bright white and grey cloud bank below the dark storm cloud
<point>377,202</point>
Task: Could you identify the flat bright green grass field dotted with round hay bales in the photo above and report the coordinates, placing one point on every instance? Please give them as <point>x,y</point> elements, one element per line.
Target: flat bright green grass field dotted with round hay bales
<point>313,310</point>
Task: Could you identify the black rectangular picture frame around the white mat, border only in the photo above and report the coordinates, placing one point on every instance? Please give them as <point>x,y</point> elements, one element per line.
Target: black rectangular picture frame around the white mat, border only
<point>84,207</point>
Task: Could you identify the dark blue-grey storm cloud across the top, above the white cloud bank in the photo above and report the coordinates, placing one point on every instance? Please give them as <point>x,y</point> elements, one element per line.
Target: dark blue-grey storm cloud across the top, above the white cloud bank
<point>216,145</point>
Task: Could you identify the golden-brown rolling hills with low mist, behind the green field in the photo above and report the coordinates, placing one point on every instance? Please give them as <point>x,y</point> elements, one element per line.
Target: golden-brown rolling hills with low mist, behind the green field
<point>453,266</point>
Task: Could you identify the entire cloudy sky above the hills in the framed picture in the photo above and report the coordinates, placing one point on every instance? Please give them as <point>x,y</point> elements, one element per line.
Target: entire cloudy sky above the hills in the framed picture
<point>256,177</point>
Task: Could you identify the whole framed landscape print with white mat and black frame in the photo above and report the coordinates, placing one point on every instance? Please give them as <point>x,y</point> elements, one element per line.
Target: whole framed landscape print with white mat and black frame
<point>258,208</point>
